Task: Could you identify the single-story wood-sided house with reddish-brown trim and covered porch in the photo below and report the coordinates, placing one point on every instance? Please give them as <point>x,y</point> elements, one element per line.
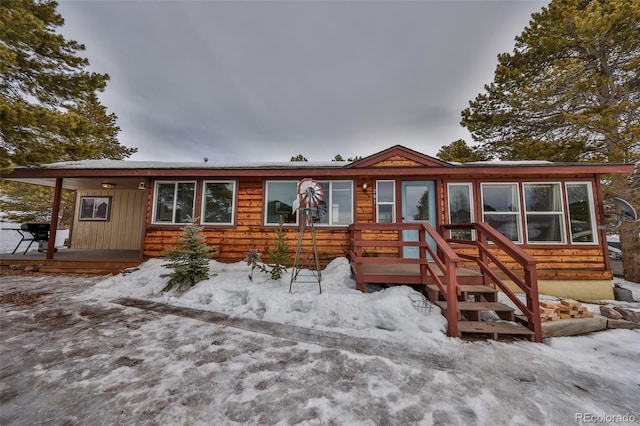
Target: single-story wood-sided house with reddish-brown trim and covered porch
<point>397,208</point>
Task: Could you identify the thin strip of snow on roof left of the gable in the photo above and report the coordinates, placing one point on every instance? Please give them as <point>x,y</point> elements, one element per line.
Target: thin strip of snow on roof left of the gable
<point>125,164</point>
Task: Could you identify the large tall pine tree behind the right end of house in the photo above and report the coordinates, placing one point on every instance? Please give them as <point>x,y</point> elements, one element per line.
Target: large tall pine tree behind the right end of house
<point>570,91</point>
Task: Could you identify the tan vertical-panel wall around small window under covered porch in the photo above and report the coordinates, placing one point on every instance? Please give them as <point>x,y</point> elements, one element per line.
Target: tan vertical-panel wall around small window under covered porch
<point>122,231</point>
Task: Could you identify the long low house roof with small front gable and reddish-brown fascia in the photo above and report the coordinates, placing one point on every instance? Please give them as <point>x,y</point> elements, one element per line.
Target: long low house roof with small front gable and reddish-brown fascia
<point>392,162</point>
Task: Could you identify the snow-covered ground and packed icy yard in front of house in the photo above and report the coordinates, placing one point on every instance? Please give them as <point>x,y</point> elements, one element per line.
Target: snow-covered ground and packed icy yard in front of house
<point>370,359</point>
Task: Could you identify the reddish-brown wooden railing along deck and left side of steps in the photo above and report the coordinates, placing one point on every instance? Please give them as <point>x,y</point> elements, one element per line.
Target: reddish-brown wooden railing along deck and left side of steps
<point>442,256</point>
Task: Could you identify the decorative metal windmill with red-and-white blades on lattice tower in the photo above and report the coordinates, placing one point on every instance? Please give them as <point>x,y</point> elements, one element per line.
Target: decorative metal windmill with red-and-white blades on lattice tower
<point>310,194</point>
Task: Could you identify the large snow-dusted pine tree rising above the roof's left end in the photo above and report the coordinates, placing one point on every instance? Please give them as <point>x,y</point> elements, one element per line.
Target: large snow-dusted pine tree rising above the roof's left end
<point>49,110</point>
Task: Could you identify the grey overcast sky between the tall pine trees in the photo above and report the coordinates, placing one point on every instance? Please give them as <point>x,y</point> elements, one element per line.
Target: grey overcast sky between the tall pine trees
<point>265,80</point>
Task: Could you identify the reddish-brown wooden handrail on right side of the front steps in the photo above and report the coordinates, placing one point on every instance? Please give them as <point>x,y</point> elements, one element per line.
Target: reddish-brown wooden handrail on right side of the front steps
<point>485,240</point>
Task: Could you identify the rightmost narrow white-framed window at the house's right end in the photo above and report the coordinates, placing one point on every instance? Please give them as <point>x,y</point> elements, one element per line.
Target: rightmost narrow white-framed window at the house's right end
<point>581,214</point>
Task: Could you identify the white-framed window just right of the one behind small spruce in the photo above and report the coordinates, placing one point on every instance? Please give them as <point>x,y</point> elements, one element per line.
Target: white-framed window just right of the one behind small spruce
<point>218,202</point>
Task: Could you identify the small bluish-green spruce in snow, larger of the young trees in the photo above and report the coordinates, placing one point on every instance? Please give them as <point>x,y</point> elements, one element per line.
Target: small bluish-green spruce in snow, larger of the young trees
<point>190,260</point>
